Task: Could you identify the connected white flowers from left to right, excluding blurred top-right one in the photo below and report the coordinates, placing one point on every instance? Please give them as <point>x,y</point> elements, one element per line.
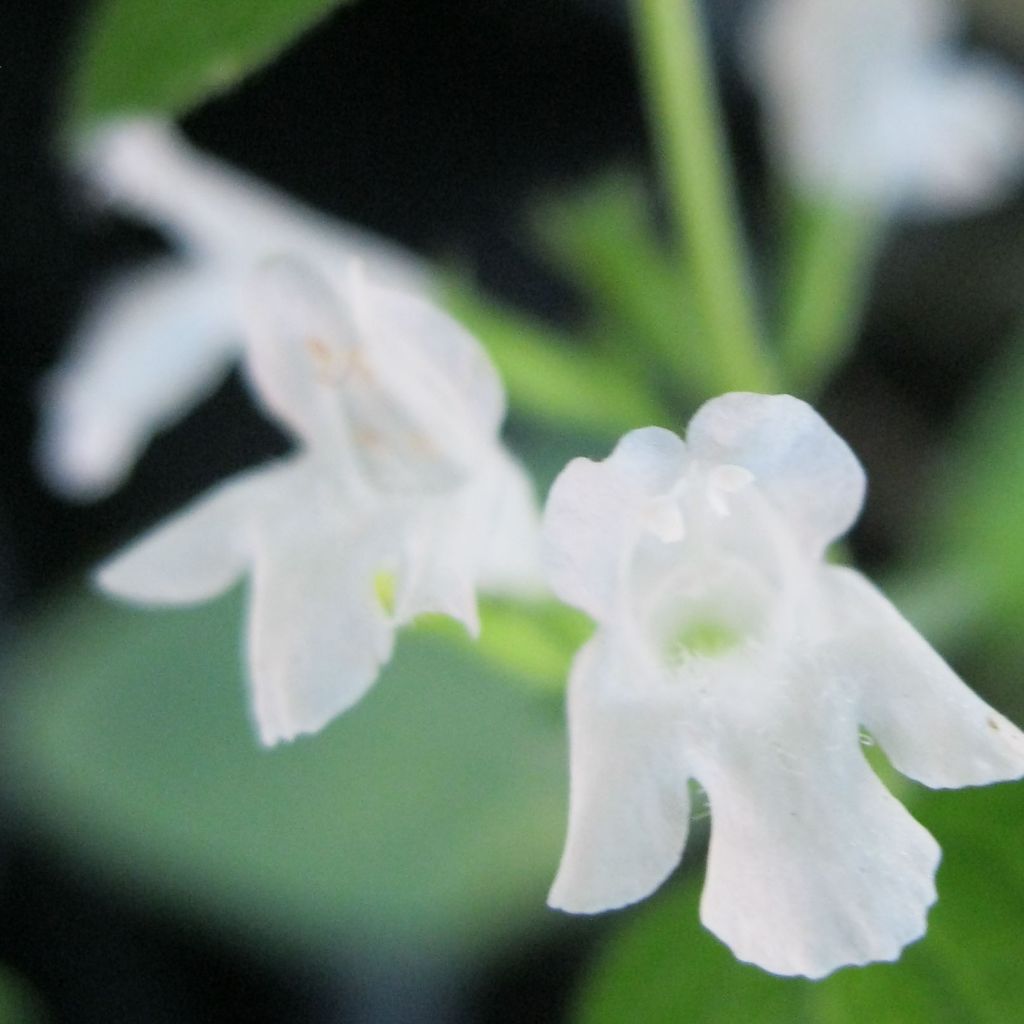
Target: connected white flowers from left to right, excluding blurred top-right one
<point>728,652</point>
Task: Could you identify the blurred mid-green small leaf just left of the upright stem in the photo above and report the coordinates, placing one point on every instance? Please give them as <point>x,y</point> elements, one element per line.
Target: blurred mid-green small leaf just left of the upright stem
<point>603,238</point>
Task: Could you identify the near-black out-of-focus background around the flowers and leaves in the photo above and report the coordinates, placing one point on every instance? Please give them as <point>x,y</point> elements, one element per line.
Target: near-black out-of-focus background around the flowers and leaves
<point>435,124</point>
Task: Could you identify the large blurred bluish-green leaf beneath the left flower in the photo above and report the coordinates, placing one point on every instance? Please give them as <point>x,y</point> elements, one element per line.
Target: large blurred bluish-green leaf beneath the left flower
<point>433,812</point>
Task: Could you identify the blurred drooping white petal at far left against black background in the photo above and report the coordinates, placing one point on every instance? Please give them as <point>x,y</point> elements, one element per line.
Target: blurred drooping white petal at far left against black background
<point>154,346</point>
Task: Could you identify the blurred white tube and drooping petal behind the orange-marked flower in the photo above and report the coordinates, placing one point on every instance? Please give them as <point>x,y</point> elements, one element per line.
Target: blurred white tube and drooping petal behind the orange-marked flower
<point>161,339</point>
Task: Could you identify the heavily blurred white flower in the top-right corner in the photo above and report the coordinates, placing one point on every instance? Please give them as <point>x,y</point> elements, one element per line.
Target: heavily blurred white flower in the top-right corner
<point>868,102</point>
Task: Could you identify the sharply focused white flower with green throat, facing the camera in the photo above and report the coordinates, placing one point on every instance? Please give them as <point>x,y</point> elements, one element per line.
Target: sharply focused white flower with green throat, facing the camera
<point>730,653</point>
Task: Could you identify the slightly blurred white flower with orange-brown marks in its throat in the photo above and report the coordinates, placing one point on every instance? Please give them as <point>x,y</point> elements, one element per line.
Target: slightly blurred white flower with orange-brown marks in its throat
<point>400,477</point>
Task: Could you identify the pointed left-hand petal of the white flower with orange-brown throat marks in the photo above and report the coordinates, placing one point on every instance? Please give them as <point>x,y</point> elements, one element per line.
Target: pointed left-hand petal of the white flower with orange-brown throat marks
<point>200,552</point>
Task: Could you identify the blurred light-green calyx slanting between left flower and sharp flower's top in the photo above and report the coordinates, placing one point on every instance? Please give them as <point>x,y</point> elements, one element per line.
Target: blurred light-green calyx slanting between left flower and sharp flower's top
<point>550,376</point>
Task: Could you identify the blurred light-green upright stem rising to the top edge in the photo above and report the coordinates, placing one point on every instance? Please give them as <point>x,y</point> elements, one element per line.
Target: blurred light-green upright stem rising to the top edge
<point>688,126</point>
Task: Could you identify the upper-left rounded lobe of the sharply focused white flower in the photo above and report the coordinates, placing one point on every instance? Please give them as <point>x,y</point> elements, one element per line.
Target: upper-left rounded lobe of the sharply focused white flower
<point>598,511</point>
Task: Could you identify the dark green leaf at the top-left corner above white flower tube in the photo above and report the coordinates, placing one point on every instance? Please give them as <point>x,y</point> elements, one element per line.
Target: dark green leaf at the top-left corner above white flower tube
<point>157,58</point>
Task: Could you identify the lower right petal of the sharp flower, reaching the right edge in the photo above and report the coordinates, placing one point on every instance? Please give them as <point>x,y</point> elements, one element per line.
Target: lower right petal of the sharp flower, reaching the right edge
<point>930,724</point>
